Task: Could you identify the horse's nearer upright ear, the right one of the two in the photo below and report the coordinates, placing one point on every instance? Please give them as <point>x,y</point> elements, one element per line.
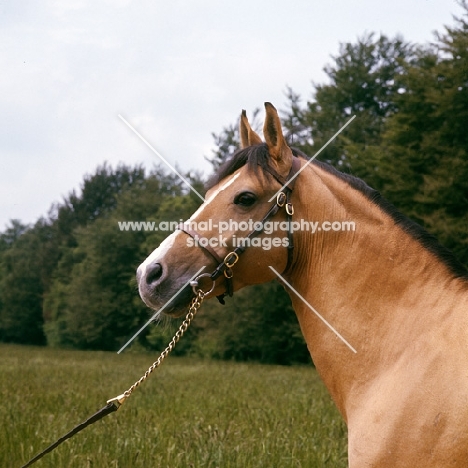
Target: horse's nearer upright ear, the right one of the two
<point>277,146</point>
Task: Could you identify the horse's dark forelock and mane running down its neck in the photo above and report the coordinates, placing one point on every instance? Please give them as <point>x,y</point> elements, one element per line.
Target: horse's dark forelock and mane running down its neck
<point>257,157</point>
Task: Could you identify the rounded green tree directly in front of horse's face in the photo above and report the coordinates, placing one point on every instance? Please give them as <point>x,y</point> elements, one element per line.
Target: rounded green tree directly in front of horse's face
<point>93,302</point>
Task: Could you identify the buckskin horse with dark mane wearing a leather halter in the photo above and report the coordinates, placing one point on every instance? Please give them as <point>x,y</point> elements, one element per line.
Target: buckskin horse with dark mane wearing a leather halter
<point>394,357</point>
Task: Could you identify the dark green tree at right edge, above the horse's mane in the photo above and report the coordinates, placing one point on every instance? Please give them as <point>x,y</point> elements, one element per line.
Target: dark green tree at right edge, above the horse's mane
<point>427,141</point>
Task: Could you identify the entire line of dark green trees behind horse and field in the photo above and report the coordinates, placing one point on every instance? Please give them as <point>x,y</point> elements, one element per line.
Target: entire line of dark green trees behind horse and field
<point>69,279</point>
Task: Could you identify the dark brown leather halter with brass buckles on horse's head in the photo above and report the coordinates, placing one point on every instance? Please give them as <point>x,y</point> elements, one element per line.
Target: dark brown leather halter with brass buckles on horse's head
<point>283,199</point>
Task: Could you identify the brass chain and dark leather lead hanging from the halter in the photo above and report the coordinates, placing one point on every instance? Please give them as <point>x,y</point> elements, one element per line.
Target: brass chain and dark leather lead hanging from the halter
<point>115,403</point>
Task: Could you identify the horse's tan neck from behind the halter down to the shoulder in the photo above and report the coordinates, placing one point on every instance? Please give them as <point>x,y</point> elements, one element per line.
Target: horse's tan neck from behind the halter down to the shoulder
<point>377,285</point>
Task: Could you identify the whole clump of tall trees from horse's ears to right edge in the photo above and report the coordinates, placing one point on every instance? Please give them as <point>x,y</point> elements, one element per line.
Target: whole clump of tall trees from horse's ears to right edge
<point>410,137</point>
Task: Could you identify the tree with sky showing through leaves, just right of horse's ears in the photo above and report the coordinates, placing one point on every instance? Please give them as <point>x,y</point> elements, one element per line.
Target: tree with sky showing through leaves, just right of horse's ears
<point>364,80</point>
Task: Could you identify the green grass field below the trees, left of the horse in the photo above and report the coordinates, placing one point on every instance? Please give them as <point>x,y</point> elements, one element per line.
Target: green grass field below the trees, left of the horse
<point>190,413</point>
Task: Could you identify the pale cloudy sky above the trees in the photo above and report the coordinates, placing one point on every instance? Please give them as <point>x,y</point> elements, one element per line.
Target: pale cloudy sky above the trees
<point>176,71</point>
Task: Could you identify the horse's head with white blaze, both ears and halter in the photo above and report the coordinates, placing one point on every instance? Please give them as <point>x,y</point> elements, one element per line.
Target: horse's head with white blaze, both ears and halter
<point>236,205</point>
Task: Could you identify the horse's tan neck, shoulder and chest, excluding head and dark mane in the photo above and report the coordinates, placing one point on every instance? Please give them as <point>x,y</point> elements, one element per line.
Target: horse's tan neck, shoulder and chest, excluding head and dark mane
<point>404,394</point>
